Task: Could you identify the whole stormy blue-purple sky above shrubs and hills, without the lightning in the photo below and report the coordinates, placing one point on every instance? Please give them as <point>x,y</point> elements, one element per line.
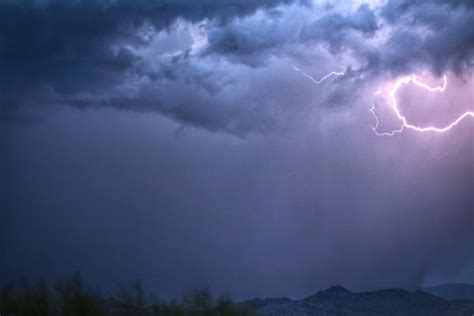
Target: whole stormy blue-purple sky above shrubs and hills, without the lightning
<point>174,142</point>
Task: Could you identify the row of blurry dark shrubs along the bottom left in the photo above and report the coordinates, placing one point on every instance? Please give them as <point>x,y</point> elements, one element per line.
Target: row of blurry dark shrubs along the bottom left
<point>71,297</point>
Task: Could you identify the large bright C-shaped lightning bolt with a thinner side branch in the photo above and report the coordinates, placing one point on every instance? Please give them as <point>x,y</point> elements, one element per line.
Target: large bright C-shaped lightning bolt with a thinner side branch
<point>405,124</point>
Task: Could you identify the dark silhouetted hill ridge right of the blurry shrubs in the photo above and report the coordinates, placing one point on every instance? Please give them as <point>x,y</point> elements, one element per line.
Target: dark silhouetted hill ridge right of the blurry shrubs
<point>340,301</point>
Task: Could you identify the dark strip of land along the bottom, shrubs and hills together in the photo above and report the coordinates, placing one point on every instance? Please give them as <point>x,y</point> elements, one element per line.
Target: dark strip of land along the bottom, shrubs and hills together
<point>73,297</point>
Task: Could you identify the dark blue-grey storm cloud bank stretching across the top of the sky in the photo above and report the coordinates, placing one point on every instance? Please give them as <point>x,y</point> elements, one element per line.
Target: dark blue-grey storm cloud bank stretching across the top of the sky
<point>91,53</point>
